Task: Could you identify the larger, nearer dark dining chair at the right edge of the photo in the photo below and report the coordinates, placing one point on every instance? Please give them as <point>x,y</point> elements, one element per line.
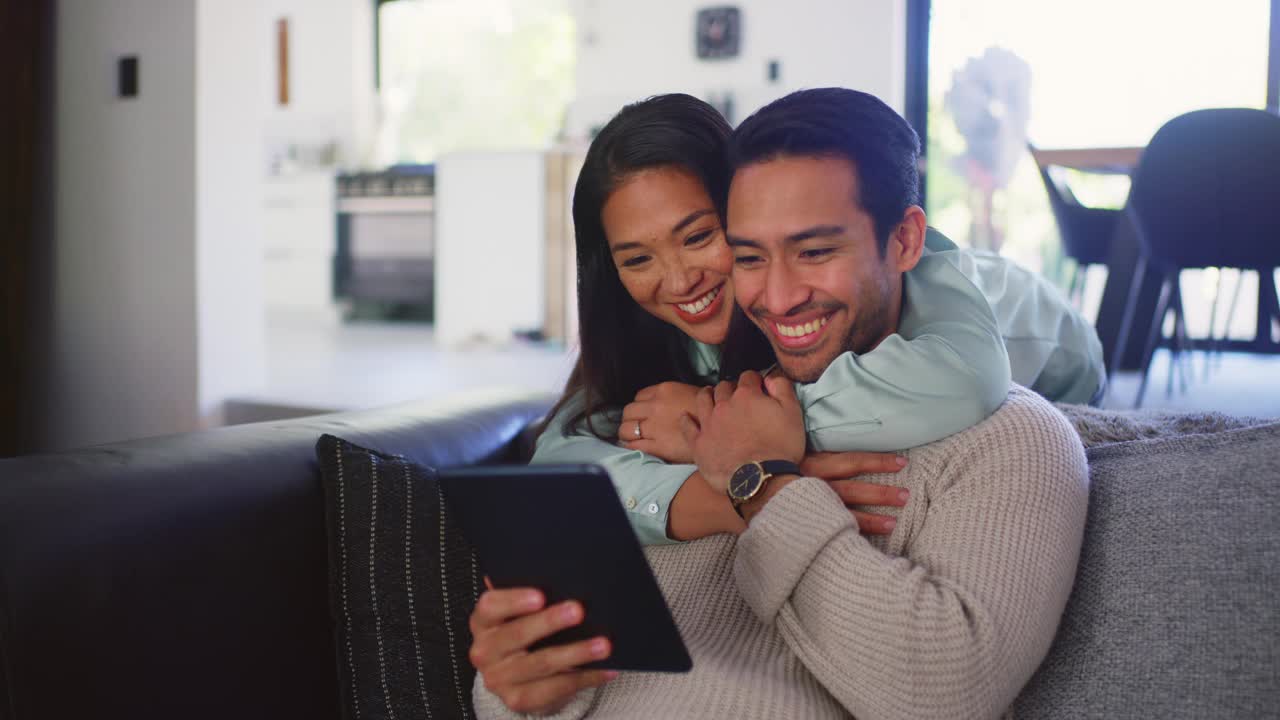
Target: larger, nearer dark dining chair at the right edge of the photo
<point>1205,195</point>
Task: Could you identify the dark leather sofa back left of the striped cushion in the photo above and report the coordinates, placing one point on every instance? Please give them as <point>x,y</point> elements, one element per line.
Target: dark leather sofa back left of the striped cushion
<point>186,577</point>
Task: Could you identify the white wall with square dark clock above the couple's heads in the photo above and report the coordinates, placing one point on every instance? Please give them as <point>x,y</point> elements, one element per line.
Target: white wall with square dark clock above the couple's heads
<point>629,51</point>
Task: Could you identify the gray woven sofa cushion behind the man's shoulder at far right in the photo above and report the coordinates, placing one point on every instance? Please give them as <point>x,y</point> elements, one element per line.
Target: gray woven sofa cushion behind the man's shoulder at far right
<point>1177,605</point>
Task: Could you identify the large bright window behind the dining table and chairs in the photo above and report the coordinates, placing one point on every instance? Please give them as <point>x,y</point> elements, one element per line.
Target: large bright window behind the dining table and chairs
<point>1094,74</point>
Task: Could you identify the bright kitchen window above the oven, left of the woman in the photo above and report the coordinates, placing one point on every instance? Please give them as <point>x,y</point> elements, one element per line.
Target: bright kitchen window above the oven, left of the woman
<point>472,75</point>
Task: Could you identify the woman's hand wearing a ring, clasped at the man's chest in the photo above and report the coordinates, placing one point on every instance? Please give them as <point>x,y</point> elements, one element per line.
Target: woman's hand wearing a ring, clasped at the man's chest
<point>657,412</point>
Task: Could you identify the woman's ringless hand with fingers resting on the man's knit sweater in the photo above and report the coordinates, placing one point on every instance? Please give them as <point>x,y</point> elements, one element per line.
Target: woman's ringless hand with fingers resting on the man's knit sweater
<point>839,468</point>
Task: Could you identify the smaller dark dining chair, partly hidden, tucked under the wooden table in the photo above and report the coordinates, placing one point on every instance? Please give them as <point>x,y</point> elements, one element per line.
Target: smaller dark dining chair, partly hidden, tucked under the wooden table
<point>1086,231</point>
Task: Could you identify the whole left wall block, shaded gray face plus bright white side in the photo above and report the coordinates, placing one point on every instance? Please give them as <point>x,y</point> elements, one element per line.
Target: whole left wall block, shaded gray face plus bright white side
<point>156,317</point>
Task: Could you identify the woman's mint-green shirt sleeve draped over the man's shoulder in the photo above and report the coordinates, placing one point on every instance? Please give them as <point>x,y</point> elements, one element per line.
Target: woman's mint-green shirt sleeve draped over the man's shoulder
<point>945,371</point>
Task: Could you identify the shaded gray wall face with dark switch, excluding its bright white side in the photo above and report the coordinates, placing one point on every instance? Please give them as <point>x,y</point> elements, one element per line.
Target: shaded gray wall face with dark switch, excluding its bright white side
<point>124,357</point>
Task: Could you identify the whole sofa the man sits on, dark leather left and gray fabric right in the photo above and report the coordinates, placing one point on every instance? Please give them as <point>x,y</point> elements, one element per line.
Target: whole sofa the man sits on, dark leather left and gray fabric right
<point>188,577</point>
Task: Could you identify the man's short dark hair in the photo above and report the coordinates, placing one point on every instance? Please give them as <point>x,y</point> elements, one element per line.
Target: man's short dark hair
<point>843,124</point>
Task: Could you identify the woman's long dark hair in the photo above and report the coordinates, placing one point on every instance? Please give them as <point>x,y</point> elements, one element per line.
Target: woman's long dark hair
<point>625,349</point>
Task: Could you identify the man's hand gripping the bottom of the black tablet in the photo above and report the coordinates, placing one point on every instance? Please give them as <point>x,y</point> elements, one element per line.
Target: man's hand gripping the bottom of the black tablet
<point>505,625</point>
